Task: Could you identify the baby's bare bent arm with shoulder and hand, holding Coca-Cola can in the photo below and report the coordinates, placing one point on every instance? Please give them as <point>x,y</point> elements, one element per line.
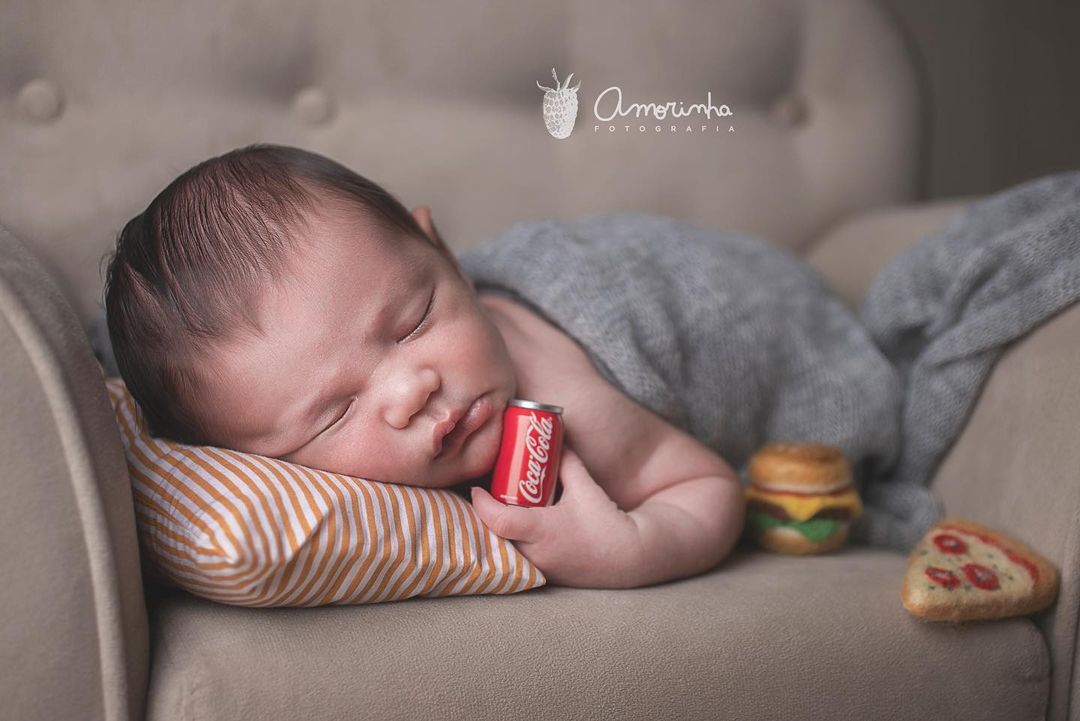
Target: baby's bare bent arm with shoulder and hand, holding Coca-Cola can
<point>664,506</point>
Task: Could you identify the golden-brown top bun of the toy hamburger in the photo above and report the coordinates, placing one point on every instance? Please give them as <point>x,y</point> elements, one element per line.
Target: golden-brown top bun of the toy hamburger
<point>804,468</point>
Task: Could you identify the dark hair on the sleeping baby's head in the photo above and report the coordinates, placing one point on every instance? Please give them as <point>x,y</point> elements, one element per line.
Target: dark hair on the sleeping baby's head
<point>186,273</point>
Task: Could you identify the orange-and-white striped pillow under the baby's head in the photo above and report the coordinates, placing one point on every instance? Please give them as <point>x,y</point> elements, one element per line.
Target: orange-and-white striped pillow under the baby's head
<point>251,530</point>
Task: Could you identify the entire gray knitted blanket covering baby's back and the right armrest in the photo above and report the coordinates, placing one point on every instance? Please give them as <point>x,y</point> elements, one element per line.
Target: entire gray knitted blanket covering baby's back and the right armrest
<point>740,344</point>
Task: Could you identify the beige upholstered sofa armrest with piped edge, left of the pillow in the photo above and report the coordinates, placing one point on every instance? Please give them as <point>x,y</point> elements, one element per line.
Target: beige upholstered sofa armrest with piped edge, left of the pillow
<point>74,641</point>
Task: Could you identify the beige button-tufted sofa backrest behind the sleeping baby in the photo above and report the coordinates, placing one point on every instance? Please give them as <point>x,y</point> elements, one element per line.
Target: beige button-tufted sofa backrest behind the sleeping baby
<point>104,102</point>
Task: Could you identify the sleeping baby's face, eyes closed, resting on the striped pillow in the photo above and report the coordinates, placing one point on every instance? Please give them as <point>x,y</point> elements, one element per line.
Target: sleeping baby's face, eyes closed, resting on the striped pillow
<point>356,372</point>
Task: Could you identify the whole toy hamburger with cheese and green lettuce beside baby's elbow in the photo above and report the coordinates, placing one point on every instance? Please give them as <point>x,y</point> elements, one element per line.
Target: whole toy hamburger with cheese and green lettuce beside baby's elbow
<point>801,499</point>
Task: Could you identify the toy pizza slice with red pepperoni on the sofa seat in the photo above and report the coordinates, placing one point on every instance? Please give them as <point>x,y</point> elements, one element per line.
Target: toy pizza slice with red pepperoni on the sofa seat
<point>964,572</point>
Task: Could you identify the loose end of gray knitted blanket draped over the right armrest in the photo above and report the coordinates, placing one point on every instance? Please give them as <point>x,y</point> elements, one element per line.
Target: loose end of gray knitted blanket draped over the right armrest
<point>946,310</point>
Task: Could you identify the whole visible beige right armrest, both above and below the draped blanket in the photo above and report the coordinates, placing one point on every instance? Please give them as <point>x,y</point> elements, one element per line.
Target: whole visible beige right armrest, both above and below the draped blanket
<point>1016,465</point>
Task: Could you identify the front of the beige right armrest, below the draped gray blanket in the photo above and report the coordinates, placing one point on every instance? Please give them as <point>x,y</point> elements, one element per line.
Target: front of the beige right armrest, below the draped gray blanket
<point>1017,467</point>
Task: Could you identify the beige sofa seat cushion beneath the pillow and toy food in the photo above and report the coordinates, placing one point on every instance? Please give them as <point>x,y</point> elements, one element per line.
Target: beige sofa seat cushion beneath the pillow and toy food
<point>762,637</point>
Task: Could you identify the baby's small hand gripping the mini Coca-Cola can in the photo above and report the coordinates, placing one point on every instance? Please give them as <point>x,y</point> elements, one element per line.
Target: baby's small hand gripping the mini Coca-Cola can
<point>585,540</point>
